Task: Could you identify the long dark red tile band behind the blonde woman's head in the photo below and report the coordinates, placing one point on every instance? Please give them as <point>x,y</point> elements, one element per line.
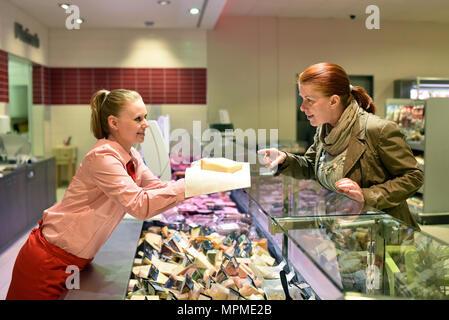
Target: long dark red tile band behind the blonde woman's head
<point>156,85</point>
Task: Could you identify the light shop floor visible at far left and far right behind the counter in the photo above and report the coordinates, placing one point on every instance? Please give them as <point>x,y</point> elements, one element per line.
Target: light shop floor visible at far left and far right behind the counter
<point>8,256</point>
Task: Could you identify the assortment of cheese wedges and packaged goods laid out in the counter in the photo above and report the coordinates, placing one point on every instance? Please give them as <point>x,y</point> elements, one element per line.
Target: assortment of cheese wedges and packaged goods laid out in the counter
<point>184,255</point>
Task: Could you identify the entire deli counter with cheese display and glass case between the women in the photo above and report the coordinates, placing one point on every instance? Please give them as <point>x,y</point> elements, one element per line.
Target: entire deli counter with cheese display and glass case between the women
<point>281,239</point>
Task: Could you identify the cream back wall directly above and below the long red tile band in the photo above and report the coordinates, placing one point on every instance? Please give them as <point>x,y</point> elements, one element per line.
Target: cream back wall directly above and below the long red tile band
<point>127,48</point>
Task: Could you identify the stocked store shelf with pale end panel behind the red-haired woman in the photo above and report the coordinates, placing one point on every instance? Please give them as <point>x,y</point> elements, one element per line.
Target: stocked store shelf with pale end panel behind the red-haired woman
<point>433,151</point>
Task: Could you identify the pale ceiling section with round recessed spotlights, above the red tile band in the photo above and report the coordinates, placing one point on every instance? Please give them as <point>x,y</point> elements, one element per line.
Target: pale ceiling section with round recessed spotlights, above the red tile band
<point>126,13</point>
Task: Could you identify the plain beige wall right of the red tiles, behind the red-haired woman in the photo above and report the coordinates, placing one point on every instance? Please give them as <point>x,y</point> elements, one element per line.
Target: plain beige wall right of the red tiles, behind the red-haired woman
<point>253,62</point>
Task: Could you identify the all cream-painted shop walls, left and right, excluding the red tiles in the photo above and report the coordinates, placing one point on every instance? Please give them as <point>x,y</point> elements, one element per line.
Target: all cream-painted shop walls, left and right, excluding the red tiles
<point>251,63</point>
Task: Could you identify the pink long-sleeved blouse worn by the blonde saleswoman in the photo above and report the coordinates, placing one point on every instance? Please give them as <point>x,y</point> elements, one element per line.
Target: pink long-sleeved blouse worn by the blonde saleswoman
<point>100,194</point>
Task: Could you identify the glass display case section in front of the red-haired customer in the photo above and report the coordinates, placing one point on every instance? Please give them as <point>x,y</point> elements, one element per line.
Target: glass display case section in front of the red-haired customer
<point>342,250</point>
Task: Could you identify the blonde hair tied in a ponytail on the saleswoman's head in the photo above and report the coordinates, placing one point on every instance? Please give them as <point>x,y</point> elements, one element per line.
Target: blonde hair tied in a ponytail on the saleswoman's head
<point>105,103</point>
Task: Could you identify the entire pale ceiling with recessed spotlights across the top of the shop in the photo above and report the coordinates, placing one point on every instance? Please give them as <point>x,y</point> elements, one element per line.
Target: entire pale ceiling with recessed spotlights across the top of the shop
<point>134,13</point>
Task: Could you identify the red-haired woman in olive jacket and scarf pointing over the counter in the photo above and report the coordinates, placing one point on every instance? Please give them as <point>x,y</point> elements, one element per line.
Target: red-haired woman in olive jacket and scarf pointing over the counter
<point>354,152</point>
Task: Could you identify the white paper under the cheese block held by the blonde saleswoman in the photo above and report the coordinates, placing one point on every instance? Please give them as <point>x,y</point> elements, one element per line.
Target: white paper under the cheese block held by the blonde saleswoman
<point>199,181</point>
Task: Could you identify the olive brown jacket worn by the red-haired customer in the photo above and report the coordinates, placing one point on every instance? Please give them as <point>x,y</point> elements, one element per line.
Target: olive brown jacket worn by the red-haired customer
<point>377,158</point>
